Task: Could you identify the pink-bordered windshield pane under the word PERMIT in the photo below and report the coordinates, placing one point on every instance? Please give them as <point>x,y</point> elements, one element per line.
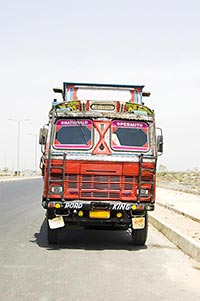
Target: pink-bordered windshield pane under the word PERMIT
<point>129,135</point>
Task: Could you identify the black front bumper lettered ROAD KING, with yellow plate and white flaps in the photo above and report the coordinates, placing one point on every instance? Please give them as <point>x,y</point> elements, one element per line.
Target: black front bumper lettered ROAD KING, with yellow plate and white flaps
<point>116,215</point>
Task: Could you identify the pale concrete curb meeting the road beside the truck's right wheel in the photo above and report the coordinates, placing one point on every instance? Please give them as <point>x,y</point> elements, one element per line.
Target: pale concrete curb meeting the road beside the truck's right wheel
<point>182,241</point>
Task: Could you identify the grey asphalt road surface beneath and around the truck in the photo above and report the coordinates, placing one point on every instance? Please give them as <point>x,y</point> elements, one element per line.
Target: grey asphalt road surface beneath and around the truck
<point>87,265</point>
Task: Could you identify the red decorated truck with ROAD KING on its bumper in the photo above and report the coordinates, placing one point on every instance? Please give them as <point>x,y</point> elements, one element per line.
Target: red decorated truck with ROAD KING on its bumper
<point>99,155</point>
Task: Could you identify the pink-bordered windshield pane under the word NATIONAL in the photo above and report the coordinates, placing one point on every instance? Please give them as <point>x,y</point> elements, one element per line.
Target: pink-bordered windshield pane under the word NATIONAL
<point>73,134</point>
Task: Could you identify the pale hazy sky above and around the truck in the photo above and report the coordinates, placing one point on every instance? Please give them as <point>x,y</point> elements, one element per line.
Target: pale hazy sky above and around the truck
<point>155,43</point>
